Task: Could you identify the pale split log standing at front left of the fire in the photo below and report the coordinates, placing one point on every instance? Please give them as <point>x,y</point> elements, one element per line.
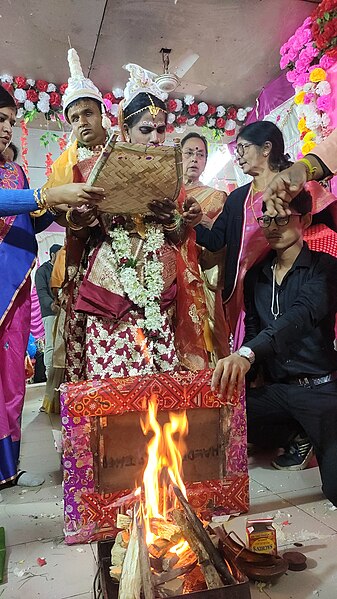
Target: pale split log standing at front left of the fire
<point>130,582</point>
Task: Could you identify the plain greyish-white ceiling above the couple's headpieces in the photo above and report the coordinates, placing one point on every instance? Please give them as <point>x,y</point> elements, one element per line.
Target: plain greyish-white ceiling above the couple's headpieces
<point>238,40</point>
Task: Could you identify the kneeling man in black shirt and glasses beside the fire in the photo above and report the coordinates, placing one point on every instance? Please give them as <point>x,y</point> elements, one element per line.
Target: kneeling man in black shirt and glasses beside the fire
<point>290,301</point>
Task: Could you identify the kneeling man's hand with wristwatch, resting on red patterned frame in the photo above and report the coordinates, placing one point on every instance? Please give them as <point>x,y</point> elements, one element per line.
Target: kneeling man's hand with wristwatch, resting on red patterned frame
<point>229,375</point>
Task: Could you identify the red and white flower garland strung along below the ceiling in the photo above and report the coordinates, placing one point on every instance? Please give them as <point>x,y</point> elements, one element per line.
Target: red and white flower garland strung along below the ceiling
<point>34,97</point>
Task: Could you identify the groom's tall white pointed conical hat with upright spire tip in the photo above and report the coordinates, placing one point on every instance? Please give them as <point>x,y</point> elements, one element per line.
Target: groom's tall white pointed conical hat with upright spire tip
<point>78,85</point>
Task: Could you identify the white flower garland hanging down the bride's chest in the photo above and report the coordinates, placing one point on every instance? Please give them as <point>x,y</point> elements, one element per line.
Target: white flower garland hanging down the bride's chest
<point>147,296</point>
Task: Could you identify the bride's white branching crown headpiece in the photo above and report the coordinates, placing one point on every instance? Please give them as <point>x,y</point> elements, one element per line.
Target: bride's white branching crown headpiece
<point>141,81</point>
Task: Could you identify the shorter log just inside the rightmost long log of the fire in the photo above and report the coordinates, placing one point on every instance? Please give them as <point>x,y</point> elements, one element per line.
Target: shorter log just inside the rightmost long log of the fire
<point>212,578</point>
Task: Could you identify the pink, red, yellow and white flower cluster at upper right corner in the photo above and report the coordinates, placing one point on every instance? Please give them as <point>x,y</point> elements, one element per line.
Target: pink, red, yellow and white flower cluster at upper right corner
<point>307,55</point>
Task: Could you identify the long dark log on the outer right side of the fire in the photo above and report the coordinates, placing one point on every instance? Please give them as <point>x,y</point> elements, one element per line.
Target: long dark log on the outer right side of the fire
<point>201,535</point>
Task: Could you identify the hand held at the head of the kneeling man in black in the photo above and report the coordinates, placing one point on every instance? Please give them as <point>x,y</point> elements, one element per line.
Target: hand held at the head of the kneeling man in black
<point>283,188</point>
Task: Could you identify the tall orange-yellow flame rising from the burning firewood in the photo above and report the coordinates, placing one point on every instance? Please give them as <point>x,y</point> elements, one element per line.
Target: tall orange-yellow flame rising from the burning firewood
<point>164,462</point>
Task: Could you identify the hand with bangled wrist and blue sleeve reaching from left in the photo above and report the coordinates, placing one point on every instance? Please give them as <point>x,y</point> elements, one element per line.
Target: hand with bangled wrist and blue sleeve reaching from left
<point>73,194</point>
